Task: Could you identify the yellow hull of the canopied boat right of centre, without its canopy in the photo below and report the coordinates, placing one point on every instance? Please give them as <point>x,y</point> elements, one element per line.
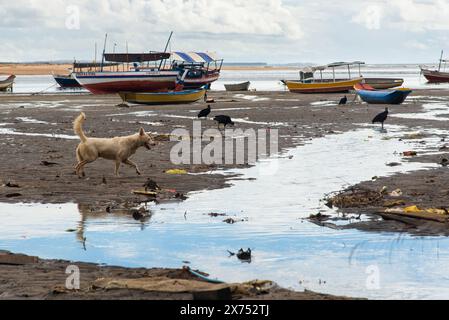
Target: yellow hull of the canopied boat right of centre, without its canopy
<point>322,87</point>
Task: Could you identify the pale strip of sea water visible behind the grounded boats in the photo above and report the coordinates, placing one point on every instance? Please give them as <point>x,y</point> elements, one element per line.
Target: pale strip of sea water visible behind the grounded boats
<point>261,79</point>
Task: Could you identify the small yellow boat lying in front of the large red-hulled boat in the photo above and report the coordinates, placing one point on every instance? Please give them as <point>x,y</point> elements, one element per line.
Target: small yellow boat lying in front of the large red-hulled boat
<point>158,98</point>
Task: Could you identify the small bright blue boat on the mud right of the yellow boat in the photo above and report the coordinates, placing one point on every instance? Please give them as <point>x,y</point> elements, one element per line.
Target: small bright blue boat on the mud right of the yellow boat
<point>372,96</point>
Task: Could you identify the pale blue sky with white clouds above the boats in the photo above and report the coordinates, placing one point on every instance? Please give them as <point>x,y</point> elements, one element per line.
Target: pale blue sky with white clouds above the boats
<point>271,31</point>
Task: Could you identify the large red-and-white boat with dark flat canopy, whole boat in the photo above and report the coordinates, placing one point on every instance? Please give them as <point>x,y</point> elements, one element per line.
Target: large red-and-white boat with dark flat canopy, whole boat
<point>149,80</point>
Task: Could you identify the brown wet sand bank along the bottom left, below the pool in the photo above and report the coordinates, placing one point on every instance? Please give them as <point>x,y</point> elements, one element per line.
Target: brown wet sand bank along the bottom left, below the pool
<point>24,277</point>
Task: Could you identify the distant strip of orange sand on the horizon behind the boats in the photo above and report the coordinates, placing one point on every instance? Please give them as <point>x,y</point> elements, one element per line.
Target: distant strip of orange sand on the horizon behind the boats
<point>21,69</point>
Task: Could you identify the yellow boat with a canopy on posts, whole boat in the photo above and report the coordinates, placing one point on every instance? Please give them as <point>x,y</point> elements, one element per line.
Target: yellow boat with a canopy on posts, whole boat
<point>309,84</point>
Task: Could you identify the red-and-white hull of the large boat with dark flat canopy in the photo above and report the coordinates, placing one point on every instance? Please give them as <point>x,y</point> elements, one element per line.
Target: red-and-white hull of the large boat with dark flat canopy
<point>115,82</point>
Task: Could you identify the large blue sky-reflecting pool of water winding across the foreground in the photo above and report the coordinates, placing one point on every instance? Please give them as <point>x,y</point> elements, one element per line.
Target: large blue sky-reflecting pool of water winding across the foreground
<point>287,249</point>
